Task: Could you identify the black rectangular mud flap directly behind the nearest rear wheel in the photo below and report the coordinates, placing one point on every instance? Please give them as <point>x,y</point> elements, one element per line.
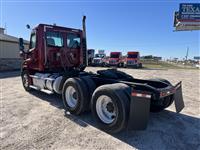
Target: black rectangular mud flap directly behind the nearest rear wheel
<point>139,113</point>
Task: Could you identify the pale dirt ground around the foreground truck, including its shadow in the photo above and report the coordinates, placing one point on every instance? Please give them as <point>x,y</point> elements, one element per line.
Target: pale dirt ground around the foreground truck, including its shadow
<point>38,121</point>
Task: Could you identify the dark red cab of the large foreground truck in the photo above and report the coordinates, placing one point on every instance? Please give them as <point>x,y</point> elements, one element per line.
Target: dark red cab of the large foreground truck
<point>53,48</point>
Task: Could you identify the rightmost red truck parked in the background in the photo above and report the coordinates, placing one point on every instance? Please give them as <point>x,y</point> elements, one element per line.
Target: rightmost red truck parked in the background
<point>133,60</point>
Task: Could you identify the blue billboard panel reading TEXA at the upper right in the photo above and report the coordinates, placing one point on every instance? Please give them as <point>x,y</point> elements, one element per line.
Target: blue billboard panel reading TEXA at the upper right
<point>189,11</point>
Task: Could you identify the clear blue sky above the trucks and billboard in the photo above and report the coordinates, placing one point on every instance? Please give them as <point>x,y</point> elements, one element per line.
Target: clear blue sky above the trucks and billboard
<point>146,26</point>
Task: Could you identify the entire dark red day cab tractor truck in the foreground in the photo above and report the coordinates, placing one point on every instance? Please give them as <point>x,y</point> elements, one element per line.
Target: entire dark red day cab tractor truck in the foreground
<point>55,63</point>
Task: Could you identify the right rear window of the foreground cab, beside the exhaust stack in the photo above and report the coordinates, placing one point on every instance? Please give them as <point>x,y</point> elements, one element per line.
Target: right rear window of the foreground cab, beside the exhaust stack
<point>73,40</point>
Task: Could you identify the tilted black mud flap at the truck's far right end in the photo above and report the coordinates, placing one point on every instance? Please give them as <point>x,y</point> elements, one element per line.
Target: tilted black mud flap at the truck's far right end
<point>178,98</point>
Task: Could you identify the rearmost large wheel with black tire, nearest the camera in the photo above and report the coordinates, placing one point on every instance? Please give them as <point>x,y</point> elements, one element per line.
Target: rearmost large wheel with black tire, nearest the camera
<point>116,93</point>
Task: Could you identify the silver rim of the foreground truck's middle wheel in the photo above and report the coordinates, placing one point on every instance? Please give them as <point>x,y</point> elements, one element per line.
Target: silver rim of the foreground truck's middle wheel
<point>71,96</point>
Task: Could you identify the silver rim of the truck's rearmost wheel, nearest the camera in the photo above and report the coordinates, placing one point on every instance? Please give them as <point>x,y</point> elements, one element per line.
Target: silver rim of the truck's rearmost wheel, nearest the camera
<point>106,110</point>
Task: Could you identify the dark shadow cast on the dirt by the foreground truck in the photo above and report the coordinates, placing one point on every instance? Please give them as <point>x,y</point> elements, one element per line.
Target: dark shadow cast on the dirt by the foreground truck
<point>166,130</point>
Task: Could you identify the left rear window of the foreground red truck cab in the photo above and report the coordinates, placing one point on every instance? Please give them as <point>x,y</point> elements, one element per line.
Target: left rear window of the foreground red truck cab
<point>54,39</point>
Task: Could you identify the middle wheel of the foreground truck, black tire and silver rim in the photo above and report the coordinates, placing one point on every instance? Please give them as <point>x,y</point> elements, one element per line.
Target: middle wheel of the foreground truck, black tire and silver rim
<point>75,96</point>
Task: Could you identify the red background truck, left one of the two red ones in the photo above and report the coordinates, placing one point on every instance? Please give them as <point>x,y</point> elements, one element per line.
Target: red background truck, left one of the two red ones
<point>116,59</point>
